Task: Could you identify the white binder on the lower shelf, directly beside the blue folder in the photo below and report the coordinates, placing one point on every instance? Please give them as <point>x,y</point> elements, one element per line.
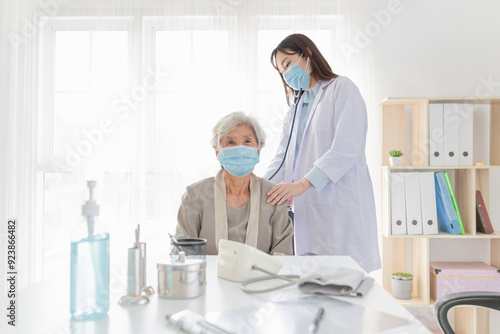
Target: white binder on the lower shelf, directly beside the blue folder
<point>428,202</point>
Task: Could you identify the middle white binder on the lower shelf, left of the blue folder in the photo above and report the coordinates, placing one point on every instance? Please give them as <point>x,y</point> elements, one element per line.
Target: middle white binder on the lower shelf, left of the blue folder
<point>413,207</point>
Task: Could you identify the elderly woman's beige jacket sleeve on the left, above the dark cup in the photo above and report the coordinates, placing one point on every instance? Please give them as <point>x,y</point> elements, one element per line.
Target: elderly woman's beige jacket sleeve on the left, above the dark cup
<point>188,218</point>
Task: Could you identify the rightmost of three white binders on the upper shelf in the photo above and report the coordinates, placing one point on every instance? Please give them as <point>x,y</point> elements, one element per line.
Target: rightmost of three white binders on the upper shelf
<point>465,134</point>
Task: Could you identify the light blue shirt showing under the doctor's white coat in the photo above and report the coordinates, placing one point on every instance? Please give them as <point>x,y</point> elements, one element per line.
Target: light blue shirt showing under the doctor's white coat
<point>316,176</point>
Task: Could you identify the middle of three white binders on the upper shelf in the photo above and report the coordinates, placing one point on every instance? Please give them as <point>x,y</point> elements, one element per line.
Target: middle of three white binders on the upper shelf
<point>451,121</point>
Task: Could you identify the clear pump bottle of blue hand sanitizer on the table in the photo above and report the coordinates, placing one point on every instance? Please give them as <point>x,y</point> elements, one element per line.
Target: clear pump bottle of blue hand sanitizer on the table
<point>89,265</point>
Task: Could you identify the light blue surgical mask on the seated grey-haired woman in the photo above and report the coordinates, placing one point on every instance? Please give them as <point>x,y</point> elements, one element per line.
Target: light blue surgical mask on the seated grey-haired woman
<point>239,160</point>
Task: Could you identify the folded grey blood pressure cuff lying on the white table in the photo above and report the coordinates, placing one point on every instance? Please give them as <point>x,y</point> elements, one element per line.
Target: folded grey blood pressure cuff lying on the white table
<point>337,282</point>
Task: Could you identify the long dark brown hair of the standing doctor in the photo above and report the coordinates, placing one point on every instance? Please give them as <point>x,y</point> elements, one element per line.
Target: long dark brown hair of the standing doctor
<point>298,43</point>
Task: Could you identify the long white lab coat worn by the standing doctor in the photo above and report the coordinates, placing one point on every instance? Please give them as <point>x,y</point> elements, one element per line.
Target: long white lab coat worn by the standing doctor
<point>340,219</point>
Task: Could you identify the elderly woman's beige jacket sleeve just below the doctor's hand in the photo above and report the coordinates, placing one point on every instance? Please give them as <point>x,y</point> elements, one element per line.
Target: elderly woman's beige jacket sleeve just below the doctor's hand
<point>282,228</point>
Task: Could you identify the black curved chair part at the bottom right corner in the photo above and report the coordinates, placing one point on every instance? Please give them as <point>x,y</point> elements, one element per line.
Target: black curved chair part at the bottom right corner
<point>475,298</point>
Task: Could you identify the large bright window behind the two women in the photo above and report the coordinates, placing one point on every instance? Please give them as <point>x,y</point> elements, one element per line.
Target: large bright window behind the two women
<point>131,103</point>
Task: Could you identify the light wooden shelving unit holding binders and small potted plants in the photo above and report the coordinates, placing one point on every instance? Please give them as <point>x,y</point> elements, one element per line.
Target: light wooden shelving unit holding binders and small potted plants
<point>405,127</point>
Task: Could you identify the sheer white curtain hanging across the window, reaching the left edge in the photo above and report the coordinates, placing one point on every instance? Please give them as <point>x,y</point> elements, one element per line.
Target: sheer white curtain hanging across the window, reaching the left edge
<point>127,93</point>
